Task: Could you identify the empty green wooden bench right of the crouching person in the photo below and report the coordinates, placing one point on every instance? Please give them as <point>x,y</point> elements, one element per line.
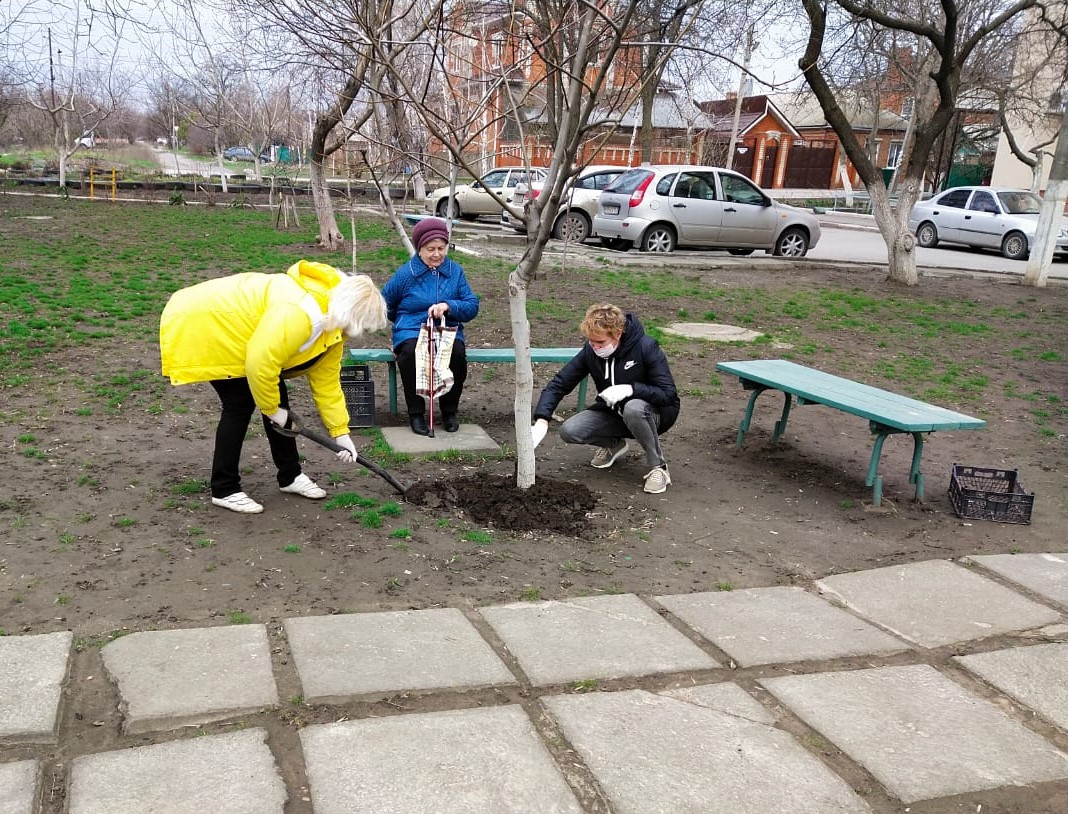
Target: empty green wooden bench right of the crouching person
<point>888,414</point>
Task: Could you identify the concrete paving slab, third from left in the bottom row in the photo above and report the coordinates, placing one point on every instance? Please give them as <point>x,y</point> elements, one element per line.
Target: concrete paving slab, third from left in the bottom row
<point>458,762</point>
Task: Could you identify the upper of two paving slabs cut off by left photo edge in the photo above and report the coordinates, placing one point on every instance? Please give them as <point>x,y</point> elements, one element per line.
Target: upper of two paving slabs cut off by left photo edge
<point>33,672</point>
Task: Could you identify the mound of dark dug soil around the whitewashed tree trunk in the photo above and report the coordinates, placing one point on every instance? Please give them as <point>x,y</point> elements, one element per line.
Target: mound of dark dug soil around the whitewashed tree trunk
<point>548,506</point>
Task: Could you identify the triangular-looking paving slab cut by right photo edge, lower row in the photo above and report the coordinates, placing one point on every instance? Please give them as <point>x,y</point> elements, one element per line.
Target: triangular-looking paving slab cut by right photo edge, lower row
<point>1036,677</point>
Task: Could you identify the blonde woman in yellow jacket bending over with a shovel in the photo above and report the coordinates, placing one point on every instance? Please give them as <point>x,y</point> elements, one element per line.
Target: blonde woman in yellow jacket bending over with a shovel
<point>245,335</point>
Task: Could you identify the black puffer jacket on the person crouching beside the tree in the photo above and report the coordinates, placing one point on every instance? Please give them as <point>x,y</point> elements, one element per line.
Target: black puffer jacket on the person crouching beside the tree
<point>639,362</point>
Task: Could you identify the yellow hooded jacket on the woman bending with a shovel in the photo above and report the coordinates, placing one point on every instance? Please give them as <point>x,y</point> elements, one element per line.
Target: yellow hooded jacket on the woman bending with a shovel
<point>259,327</point>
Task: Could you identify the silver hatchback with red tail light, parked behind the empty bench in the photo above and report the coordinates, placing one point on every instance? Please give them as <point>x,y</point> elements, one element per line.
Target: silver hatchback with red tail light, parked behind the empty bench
<point>662,209</point>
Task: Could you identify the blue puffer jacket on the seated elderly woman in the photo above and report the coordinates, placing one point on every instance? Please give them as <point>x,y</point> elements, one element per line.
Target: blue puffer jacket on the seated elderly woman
<point>416,287</point>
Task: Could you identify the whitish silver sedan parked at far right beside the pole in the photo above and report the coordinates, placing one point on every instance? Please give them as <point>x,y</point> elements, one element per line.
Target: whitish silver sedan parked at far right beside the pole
<point>985,217</point>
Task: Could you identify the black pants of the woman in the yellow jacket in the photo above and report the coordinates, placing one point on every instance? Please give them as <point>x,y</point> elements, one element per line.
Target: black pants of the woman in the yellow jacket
<point>238,410</point>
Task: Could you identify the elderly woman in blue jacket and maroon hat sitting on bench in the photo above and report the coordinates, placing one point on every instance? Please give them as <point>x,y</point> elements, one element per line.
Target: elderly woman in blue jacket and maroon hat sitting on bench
<point>430,285</point>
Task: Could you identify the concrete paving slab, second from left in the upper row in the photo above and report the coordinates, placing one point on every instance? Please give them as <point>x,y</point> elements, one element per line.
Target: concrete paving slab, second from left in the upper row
<point>170,679</point>
